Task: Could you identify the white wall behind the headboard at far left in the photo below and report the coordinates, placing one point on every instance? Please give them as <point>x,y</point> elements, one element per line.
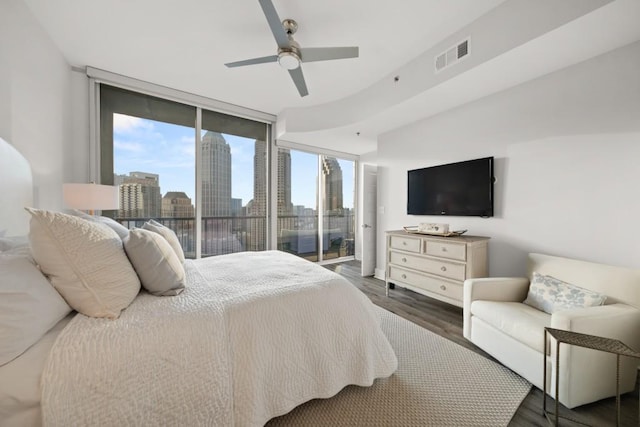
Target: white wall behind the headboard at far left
<point>34,99</point>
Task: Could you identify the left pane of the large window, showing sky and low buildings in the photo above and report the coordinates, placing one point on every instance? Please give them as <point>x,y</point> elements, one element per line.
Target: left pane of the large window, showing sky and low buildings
<point>154,166</point>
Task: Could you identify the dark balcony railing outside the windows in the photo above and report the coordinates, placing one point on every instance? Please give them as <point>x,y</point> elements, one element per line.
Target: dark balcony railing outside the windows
<point>230,234</point>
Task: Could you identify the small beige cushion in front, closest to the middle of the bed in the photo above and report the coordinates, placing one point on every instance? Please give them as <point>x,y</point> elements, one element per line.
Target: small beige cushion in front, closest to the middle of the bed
<point>157,265</point>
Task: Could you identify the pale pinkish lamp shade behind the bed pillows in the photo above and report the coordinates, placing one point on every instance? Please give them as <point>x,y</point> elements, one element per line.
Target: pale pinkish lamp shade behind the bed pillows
<point>91,196</point>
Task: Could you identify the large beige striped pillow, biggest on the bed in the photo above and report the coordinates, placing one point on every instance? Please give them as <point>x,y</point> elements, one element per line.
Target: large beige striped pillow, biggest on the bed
<point>84,261</point>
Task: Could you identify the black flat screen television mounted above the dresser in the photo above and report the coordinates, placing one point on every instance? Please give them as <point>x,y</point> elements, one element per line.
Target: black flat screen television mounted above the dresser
<point>458,189</point>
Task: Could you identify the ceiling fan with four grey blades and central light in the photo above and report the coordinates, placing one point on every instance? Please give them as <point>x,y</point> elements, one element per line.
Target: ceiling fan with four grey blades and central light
<point>290,54</point>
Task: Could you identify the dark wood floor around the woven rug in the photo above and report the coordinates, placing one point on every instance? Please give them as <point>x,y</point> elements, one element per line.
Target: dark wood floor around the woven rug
<point>446,320</point>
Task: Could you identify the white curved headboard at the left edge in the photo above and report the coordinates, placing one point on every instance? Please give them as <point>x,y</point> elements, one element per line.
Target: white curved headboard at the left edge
<point>16,190</point>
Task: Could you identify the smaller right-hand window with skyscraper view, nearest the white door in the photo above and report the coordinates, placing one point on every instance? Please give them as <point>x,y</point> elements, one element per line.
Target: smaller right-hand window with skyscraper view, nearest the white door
<point>309,207</point>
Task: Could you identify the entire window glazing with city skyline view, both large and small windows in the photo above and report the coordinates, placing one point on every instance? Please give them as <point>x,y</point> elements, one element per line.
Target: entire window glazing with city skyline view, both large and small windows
<point>213,192</point>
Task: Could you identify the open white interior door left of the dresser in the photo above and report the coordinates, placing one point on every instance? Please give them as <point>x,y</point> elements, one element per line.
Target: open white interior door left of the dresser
<point>369,203</point>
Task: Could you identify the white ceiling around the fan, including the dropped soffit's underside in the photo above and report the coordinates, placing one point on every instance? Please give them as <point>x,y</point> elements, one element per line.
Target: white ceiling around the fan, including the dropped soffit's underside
<point>184,45</point>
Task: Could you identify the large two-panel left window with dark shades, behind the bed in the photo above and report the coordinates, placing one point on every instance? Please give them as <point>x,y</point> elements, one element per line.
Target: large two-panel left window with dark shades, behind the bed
<point>152,147</point>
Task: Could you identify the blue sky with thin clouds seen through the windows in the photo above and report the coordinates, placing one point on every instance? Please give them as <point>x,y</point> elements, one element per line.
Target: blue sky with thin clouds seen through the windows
<point>169,151</point>
